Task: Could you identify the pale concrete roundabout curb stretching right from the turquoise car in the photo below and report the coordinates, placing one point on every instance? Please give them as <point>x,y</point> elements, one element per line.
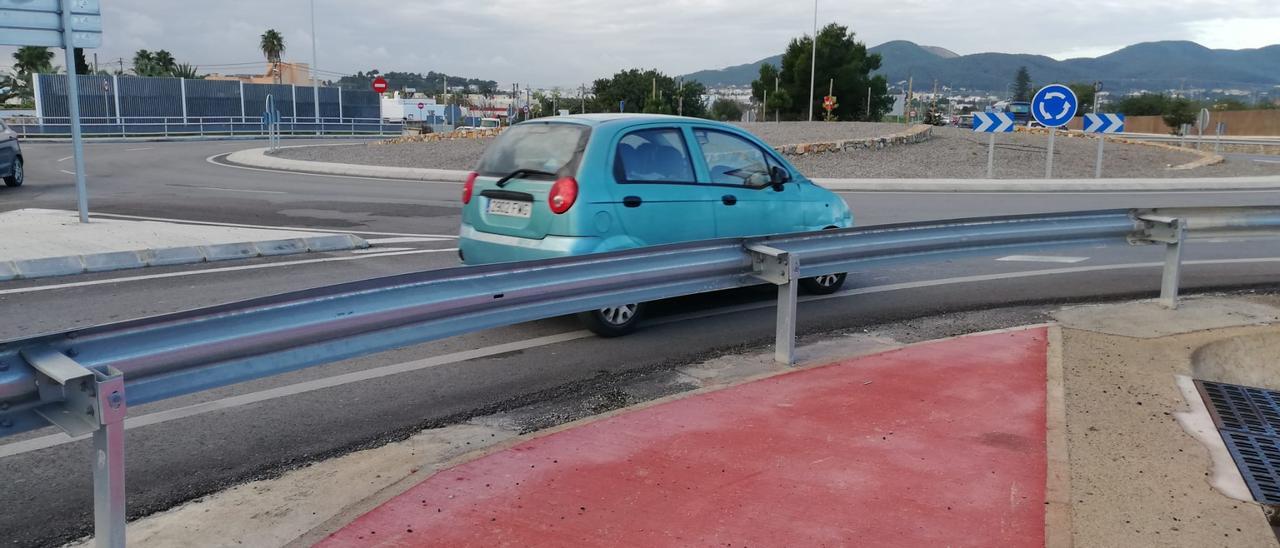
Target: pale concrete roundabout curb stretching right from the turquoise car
<point>1204,184</point>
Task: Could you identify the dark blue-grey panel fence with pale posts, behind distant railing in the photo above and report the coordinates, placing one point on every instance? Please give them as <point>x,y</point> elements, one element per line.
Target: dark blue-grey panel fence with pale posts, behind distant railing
<point>126,97</point>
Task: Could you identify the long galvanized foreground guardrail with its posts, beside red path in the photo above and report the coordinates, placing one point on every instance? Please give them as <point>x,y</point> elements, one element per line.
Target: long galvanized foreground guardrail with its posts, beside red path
<point>79,380</point>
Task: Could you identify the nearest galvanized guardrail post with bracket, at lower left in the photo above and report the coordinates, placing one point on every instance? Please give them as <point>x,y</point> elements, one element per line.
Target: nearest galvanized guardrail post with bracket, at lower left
<point>80,401</point>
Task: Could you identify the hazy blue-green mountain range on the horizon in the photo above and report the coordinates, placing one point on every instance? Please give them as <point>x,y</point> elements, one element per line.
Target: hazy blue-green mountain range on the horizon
<point>1149,66</point>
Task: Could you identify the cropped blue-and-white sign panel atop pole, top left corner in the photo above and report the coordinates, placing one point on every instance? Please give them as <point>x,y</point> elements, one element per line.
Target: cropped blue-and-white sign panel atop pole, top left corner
<point>40,24</point>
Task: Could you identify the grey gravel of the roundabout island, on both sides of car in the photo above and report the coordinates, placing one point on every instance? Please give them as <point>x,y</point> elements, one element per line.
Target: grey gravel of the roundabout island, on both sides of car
<point>953,154</point>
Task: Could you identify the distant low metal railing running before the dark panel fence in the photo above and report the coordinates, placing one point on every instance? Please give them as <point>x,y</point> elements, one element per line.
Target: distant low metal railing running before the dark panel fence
<point>34,127</point>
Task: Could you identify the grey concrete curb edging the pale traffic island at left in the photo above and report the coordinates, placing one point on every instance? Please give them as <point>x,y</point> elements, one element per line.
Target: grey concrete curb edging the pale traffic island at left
<point>167,257</point>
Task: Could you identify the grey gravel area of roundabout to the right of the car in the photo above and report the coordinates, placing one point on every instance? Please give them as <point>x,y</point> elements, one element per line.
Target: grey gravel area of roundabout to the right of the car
<point>961,154</point>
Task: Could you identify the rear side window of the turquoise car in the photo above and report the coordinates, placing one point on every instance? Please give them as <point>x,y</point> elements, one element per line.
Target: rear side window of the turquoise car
<point>653,157</point>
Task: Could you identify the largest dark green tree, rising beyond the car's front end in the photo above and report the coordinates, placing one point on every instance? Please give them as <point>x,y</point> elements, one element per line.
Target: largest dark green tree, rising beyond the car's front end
<point>844,65</point>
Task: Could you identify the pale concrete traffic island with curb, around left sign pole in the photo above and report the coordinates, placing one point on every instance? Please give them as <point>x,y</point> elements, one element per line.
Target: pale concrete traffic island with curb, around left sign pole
<point>40,243</point>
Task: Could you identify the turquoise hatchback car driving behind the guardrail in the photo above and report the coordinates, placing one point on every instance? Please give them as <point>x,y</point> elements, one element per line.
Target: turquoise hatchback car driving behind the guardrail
<point>604,182</point>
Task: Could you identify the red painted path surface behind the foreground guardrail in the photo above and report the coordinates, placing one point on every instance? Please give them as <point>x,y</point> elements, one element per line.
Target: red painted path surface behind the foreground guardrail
<point>934,445</point>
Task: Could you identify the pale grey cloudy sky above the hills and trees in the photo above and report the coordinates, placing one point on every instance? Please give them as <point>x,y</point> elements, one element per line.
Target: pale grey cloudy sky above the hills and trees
<point>565,43</point>
